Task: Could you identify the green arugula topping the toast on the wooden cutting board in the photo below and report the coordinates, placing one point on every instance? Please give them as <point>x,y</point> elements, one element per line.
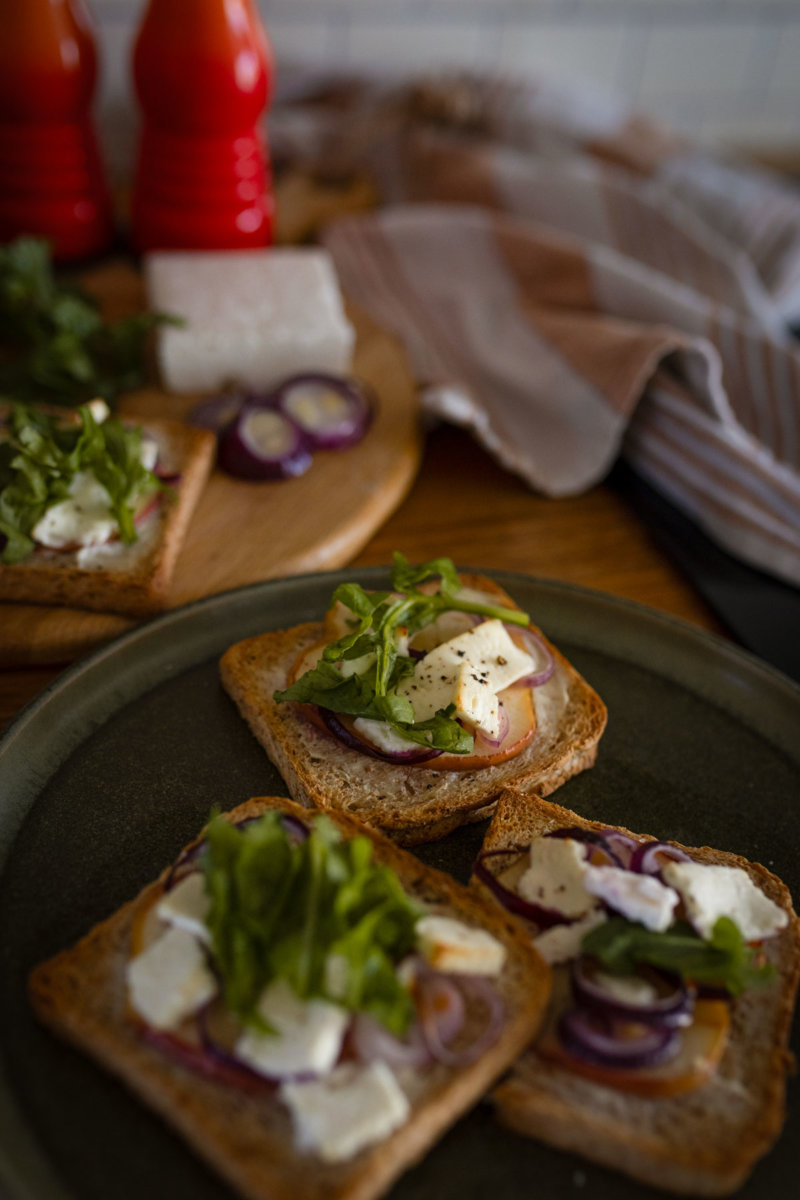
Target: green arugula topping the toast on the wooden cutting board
<point>43,457</point>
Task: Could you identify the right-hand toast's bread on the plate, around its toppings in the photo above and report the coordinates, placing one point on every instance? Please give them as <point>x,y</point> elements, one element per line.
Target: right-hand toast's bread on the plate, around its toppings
<point>705,1142</point>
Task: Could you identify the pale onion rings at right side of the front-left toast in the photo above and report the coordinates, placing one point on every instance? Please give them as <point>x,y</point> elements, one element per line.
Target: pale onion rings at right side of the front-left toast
<point>435,992</point>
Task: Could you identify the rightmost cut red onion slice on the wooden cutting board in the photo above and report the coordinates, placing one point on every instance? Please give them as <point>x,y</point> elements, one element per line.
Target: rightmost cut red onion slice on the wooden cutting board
<point>333,412</point>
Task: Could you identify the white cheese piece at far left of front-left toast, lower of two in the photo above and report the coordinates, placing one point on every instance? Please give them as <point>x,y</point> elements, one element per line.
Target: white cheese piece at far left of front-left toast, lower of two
<point>171,980</point>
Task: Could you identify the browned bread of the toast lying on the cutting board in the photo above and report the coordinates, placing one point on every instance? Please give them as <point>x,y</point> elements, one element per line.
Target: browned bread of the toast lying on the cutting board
<point>131,580</point>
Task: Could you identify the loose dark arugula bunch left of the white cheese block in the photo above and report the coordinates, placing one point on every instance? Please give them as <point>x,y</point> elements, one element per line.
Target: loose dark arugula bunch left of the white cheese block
<point>55,344</point>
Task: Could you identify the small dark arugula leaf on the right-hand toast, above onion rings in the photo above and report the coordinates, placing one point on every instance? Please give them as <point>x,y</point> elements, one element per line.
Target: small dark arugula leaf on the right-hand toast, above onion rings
<point>725,961</point>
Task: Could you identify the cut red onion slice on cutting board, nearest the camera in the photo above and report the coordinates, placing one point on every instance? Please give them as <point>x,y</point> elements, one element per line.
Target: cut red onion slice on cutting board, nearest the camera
<point>263,445</point>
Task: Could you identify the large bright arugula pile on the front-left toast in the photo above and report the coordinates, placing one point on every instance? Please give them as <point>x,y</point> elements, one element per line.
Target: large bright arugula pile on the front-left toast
<point>280,910</point>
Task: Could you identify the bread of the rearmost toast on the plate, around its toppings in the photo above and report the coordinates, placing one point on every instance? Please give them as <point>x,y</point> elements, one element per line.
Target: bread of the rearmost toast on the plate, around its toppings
<point>411,805</point>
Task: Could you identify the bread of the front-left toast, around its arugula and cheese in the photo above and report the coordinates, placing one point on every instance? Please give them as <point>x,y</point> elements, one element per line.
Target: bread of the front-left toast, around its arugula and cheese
<point>248,1137</point>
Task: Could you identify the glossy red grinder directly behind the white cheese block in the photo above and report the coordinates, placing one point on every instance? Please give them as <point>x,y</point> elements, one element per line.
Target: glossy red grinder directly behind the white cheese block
<point>203,73</point>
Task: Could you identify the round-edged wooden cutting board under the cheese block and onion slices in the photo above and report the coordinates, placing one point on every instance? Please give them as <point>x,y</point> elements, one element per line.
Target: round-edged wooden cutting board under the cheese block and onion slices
<point>245,532</point>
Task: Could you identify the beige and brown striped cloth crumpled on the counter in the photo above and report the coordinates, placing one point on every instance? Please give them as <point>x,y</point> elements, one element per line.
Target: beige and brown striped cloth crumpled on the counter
<point>573,284</point>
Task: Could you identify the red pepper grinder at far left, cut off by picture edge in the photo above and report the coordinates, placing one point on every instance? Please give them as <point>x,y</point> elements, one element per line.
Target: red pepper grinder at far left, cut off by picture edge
<point>51,178</point>
